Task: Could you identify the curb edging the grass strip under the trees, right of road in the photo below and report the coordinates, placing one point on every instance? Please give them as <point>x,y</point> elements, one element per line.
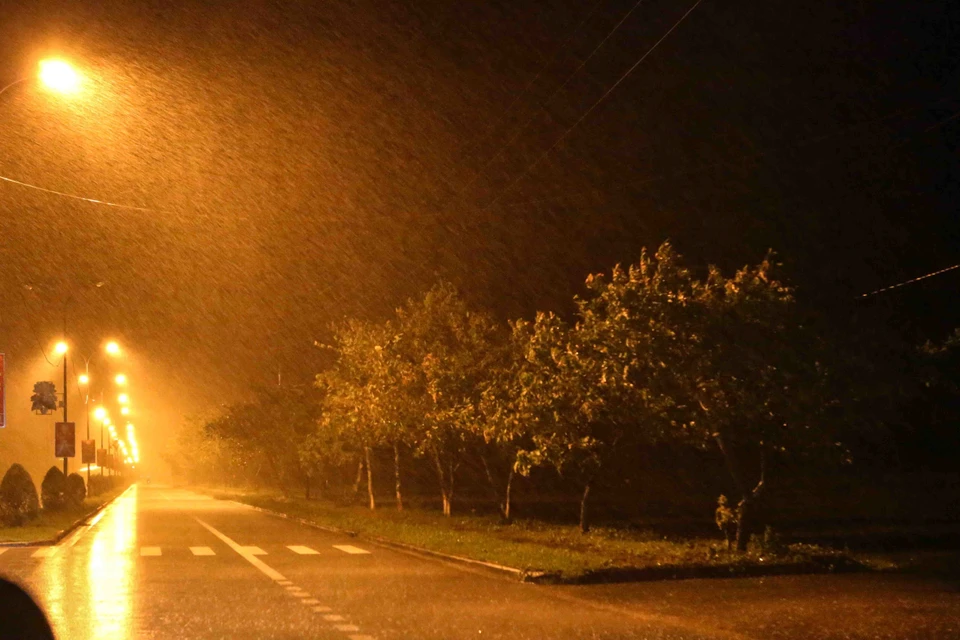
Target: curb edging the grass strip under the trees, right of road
<point>816,565</point>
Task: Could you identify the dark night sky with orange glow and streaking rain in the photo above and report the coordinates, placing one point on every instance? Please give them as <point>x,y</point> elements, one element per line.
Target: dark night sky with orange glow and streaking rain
<point>299,162</point>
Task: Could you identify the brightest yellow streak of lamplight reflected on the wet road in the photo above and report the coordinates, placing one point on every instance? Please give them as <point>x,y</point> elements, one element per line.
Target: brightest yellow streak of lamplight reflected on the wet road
<point>110,571</point>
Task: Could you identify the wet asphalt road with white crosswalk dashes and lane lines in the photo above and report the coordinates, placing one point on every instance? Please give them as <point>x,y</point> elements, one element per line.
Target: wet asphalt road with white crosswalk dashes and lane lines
<point>162,562</point>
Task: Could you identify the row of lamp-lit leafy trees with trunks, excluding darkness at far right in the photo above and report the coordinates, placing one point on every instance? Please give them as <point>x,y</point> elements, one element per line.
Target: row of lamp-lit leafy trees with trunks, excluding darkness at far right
<point>655,354</point>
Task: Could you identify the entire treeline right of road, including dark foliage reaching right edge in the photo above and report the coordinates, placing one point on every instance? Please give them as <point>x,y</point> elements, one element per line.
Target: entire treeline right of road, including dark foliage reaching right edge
<point>725,377</point>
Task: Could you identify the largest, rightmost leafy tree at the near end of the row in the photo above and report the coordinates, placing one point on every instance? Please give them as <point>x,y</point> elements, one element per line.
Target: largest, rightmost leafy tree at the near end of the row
<point>722,360</point>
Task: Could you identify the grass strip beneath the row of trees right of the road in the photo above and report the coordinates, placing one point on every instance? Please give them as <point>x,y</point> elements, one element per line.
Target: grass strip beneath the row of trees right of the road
<point>526,544</point>
